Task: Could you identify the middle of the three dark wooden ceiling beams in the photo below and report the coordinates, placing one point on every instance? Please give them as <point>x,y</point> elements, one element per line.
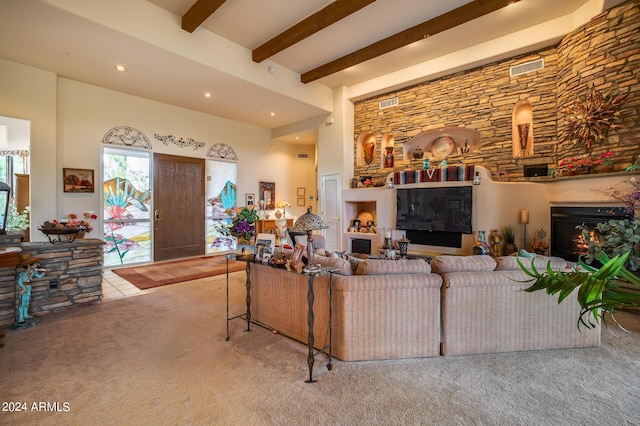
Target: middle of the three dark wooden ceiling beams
<point>331,14</point>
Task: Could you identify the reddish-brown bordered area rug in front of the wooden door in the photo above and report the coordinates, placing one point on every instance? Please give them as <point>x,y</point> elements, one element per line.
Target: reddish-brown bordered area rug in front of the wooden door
<point>159,274</point>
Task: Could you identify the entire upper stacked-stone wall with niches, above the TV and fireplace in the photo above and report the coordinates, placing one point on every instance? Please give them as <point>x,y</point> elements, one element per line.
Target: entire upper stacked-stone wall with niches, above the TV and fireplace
<point>605,50</point>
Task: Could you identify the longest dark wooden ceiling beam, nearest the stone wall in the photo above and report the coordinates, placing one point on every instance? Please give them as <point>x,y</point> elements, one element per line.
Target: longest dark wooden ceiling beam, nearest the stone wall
<point>451,19</point>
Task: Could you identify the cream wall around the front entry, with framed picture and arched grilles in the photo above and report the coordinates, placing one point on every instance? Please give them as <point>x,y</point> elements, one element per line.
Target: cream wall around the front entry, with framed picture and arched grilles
<point>69,120</point>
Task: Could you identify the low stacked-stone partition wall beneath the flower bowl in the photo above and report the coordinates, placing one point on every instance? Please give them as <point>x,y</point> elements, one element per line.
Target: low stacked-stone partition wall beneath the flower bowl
<point>73,277</point>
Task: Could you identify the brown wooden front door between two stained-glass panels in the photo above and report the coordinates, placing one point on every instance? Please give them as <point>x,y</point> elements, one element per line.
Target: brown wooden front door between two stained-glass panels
<point>178,198</point>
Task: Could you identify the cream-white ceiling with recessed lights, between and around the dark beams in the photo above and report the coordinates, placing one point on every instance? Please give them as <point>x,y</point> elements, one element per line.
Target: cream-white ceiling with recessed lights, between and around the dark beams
<point>83,40</point>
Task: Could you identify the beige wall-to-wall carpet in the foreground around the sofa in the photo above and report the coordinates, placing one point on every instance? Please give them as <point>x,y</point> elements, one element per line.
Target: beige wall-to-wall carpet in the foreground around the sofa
<point>162,358</point>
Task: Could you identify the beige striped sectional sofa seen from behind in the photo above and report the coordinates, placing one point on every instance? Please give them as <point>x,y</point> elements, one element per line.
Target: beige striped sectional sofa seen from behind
<point>383,309</point>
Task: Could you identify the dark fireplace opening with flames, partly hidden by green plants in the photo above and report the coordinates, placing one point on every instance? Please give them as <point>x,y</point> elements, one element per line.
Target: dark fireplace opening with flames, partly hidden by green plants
<point>566,240</point>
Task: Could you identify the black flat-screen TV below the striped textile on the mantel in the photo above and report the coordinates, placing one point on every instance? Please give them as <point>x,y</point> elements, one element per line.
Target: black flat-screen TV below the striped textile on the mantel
<point>442,209</point>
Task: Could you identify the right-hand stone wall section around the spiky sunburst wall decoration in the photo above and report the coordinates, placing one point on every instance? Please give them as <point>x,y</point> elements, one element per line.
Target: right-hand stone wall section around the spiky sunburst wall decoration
<point>604,52</point>
